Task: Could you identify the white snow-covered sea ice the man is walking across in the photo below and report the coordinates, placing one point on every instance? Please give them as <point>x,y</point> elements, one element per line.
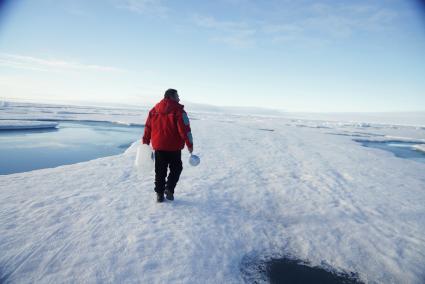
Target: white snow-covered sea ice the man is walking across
<point>309,192</point>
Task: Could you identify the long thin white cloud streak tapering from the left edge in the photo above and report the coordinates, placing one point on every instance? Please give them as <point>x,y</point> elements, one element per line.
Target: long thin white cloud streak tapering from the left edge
<point>41,64</point>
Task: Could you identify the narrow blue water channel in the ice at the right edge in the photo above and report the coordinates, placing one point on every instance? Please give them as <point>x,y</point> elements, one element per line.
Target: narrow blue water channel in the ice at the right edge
<point>403,150</point>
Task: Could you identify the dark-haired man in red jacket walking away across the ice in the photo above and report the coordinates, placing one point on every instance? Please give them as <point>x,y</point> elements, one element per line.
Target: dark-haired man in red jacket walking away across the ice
<point>168,127</point>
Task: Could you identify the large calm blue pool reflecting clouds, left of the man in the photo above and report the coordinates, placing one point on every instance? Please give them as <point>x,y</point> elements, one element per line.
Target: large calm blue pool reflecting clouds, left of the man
<point>72,142</point>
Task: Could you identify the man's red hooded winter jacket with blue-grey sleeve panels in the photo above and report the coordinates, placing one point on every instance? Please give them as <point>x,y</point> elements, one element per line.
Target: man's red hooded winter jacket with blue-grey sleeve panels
<point>168,127</point>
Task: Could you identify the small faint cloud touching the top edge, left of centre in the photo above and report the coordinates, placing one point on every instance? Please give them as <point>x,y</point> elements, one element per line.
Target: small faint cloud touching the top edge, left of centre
<point>147,7</point>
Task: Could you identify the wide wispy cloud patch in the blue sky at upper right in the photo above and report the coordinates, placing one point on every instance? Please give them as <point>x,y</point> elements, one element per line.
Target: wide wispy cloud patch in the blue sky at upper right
<point>319,23</point>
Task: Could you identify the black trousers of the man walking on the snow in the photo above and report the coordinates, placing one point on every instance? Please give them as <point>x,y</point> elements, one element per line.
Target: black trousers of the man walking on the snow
<point>163,160</point>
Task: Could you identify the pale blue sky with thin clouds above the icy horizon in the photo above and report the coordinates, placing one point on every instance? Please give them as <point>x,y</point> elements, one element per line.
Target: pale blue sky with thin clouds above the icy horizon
<point>314,56</point>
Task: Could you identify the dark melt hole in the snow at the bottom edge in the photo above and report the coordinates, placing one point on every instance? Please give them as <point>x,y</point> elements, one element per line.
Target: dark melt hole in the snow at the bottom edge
<point>294,272</point>
